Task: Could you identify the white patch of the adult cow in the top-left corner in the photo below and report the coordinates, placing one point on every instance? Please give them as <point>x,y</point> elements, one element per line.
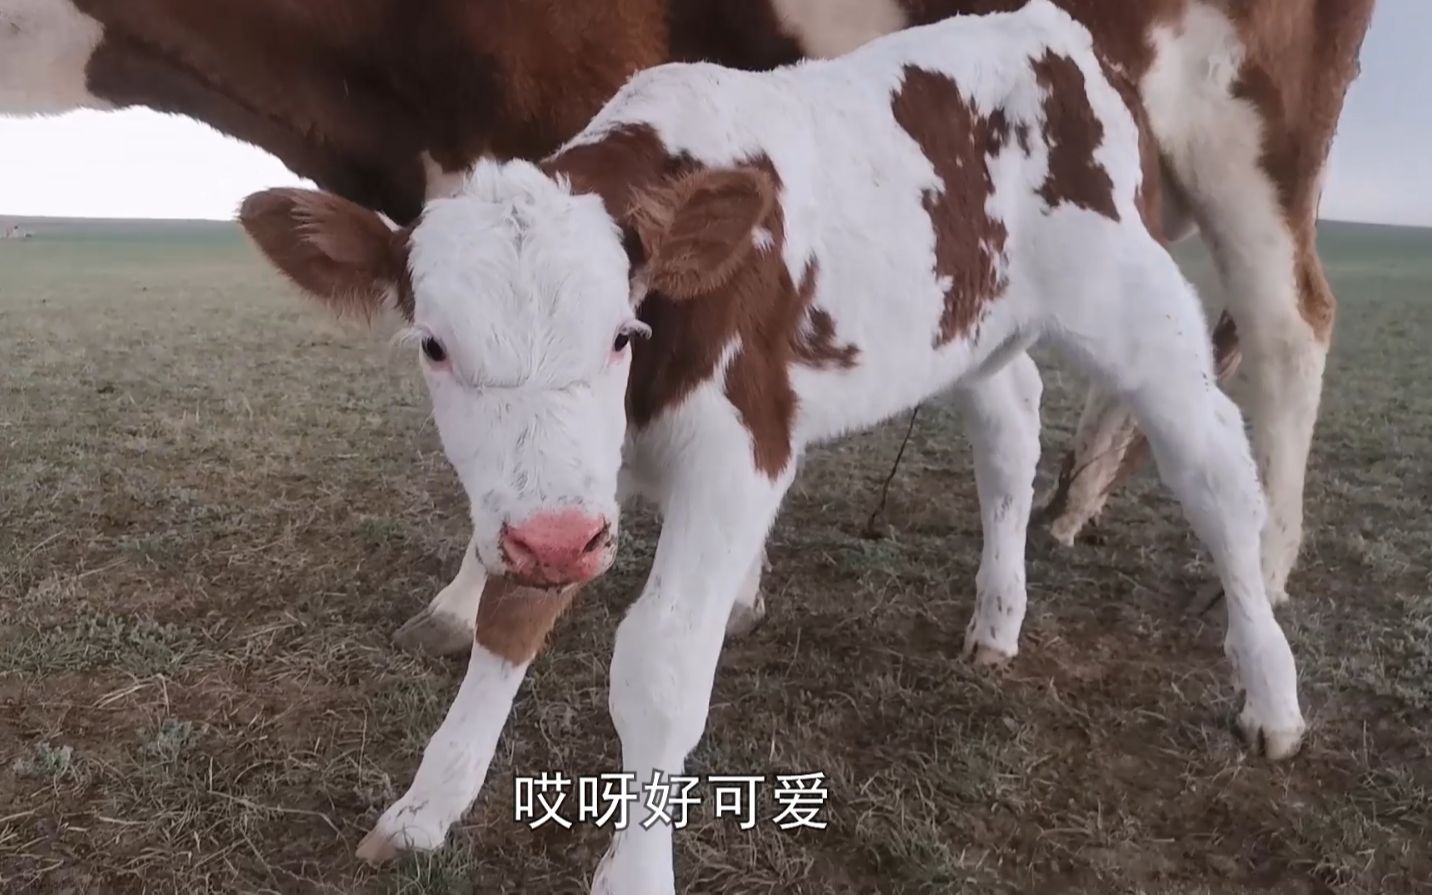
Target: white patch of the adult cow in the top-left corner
<point>45,48</point>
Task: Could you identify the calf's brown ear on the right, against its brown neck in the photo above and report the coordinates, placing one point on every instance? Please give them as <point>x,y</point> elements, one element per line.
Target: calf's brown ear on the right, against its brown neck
<point>698,231</point>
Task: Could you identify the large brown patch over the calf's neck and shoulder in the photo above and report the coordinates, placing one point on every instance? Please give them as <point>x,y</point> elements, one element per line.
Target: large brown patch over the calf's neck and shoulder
<point>775,319</point>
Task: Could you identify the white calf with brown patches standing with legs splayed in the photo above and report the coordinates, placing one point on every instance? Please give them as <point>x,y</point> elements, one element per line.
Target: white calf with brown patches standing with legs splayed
<point>728,267</point>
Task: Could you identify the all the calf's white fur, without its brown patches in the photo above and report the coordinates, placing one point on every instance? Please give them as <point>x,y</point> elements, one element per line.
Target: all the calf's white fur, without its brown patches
<point>526,286</point>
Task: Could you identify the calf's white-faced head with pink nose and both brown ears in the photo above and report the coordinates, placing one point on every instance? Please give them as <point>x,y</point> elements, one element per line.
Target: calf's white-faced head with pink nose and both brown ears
<point>522,299</point>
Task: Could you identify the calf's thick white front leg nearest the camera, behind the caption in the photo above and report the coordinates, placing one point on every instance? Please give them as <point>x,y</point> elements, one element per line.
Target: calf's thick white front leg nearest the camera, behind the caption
<point>718,512</point>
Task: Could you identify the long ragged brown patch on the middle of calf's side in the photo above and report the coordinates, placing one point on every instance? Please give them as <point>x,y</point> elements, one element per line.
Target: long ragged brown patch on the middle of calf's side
<point>969,243</point>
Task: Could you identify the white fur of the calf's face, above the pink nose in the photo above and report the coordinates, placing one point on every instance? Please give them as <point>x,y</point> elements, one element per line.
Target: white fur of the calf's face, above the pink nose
<point>531,403</point>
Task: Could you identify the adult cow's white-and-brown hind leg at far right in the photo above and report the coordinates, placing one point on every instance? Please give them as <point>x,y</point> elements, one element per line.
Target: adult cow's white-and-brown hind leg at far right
<point>1248,140</point>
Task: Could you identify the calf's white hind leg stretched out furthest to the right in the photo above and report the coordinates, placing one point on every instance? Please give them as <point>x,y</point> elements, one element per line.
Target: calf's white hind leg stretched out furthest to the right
<point>1151,350</point>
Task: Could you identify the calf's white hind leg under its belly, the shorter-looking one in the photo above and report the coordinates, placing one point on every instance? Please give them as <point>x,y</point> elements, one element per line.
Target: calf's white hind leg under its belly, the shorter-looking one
<point>1002,417</point>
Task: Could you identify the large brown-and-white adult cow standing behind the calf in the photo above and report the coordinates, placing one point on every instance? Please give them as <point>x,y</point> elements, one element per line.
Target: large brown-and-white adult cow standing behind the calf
<point>387,102</point>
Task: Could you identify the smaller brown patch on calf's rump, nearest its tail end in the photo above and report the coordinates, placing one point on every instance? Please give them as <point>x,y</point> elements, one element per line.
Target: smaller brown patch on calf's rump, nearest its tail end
<point>1073,132</point>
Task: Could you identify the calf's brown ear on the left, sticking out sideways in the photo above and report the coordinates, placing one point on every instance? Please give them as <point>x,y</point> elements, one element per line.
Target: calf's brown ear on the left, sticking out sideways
<point>340,253</point>
